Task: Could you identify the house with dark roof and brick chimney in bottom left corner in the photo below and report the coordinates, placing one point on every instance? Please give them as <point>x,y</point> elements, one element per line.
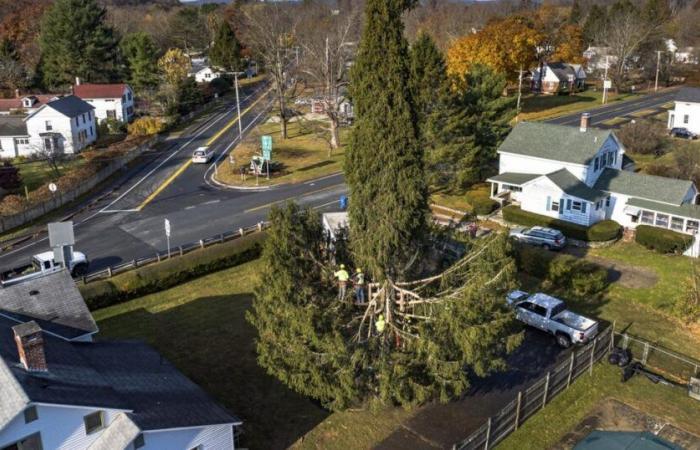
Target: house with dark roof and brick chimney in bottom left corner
<point>62,392</point>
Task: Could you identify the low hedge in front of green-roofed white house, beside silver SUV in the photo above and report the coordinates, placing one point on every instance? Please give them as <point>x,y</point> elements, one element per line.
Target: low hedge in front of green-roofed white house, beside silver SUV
<point>605,230</point>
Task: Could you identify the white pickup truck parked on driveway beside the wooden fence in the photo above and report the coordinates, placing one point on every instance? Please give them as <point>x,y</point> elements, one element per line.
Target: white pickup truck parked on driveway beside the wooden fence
<point>550,314</point>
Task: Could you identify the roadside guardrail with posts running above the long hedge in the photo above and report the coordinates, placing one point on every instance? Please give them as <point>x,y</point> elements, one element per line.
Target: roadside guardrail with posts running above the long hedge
<point>173,252</point>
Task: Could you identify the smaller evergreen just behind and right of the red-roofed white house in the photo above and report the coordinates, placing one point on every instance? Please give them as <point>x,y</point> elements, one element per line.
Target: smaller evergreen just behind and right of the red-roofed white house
<point>140,54</point>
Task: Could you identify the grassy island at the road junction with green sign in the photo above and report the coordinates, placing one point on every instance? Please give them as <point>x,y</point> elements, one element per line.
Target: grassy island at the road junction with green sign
<point>303,155</point>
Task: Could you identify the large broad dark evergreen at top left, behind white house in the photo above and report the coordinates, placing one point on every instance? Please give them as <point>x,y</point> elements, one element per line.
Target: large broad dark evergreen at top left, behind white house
<point>75,41</point>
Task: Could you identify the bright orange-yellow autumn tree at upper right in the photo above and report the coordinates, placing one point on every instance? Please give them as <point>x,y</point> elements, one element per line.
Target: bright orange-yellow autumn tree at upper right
<point>505,46</point>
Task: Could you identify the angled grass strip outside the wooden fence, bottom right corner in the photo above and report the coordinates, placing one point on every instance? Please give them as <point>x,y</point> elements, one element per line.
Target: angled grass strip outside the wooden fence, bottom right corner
<point>546,428</point>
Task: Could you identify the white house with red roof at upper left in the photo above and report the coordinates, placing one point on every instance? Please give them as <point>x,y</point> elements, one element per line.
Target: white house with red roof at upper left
<point>111,101</point>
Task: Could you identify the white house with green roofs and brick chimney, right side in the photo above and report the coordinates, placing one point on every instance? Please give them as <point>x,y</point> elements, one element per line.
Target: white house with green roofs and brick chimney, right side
<point>575,174</point>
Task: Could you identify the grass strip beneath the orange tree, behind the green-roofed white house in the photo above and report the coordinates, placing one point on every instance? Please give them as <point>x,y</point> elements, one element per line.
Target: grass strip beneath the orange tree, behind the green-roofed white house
<point>538,107</point>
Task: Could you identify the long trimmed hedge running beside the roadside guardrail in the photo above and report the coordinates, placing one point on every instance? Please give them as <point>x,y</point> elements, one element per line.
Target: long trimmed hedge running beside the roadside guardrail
<point>166,274</point>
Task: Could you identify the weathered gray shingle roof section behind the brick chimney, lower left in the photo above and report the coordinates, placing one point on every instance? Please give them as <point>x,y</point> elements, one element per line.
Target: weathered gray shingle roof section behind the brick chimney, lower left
<point>53,301</point>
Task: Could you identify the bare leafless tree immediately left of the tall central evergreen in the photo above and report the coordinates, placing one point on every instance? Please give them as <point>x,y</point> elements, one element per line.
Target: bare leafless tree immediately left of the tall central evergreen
<point>328,39</point>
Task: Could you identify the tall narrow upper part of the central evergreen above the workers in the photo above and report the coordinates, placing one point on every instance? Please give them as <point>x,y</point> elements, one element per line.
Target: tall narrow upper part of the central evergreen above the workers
<point>384,163</point>
